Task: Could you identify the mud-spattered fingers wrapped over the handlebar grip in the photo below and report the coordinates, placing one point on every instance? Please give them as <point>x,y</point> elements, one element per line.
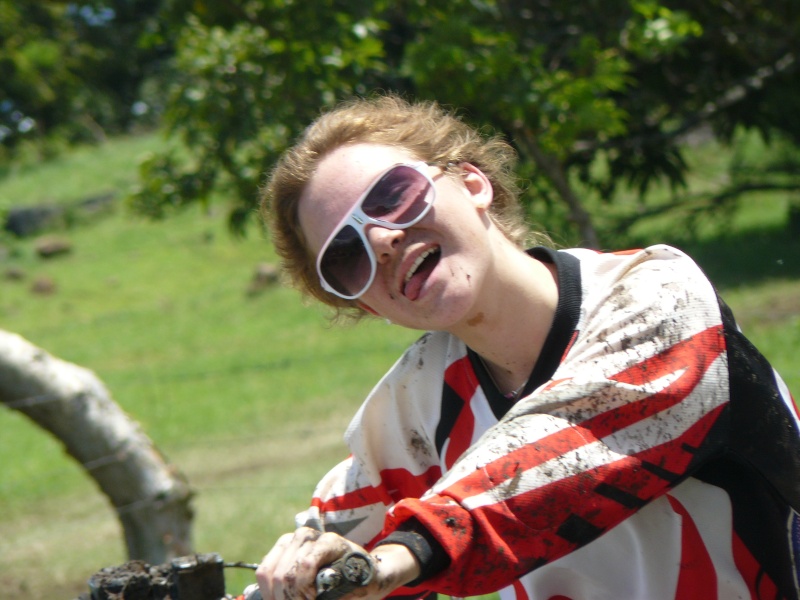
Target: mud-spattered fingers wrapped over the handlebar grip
<point>289,571</point>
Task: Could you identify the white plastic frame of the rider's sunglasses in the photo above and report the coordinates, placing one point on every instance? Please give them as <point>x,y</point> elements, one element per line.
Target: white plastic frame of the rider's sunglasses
<point>361,220</point>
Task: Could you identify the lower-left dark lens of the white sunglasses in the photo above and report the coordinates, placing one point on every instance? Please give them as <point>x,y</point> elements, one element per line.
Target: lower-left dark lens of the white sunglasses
<point>345,264</point>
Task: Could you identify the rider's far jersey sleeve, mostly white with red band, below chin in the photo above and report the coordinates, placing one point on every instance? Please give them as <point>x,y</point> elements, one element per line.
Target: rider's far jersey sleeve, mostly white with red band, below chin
<point>392,454</point>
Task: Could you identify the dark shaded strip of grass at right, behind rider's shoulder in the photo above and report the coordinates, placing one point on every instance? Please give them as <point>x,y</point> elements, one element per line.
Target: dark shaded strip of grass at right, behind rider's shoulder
<point>745,258</point>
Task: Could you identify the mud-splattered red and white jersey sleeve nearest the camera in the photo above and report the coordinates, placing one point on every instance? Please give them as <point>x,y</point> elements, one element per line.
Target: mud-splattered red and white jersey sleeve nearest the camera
<point>637,402</point>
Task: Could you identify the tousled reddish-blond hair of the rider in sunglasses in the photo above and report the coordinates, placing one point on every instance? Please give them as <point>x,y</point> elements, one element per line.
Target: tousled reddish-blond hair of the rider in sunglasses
<point>427,131</point>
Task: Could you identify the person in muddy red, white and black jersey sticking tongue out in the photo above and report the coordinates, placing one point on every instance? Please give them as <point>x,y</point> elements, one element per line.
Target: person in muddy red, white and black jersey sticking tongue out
<point>573,425</point>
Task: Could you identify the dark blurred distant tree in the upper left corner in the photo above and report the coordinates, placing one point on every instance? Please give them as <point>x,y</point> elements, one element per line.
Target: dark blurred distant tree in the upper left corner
<point>73,71</point>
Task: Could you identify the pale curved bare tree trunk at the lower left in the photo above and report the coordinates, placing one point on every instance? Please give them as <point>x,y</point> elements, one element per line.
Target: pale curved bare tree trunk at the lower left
<point>151,498</point>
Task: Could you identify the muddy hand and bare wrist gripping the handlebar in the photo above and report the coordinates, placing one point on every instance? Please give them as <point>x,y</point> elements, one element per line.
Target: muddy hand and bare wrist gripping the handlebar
<point>290,569</point>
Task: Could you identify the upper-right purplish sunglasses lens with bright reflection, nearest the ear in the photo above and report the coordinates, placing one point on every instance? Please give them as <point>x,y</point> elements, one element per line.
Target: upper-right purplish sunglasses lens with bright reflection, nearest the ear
<point>399,197</point>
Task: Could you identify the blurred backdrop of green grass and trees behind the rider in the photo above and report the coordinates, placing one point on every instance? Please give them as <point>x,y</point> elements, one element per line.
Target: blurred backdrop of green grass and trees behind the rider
<point>134,135</point>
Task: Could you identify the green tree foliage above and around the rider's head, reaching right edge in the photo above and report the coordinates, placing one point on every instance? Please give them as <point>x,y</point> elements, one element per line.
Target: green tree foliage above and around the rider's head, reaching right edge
<point>600,92</point>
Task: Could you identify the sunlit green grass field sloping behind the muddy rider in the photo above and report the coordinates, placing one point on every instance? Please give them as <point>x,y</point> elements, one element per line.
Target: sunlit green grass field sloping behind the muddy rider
<point>248,395</point>
